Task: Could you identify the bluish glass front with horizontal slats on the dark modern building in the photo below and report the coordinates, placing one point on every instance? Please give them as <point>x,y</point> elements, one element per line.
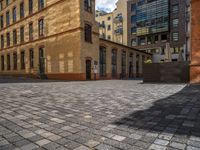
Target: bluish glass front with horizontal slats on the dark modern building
<point>152,17</point>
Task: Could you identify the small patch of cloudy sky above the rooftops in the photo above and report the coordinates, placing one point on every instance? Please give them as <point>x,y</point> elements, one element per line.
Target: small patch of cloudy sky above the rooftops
<point>107,5</point>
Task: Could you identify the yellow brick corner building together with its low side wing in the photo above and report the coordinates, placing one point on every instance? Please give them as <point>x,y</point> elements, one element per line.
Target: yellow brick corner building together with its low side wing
<point>59,39</point>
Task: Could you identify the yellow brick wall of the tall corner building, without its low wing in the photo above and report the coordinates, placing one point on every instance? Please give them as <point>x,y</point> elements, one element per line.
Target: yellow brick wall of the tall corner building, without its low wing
<point>63,46</point>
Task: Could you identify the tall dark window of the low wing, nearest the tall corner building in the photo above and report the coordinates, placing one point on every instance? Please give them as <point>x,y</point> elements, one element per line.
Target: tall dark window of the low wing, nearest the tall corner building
<point>102,61</point>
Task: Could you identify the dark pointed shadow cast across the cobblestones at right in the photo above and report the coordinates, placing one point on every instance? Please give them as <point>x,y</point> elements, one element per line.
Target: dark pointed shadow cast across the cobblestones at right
<point>177,114</point>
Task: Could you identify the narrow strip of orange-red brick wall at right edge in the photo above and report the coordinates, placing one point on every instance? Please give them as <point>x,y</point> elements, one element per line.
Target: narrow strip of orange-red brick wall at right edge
<point>195,43</point>
